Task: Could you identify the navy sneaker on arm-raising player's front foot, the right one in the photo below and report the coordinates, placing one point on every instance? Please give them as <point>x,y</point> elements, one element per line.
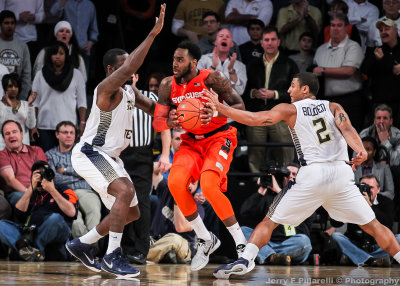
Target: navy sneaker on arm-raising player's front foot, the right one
<point>116,263</point>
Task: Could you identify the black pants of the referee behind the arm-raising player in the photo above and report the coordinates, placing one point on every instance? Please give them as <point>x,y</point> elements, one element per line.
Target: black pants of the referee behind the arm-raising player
<point>138,163</point>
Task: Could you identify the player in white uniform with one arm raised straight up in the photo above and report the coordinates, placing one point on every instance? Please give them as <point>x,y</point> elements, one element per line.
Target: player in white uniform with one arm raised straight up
<point>96,156</point>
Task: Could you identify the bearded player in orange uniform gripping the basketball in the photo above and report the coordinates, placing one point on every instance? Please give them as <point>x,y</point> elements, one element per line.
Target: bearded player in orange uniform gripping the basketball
<point>205,153</point>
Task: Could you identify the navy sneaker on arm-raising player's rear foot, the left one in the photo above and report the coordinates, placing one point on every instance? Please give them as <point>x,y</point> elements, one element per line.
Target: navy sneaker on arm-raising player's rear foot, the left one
<point>84,252</point>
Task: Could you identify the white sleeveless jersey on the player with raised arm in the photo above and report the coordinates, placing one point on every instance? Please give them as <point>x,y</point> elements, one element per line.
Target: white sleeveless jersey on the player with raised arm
<point>111,131</point>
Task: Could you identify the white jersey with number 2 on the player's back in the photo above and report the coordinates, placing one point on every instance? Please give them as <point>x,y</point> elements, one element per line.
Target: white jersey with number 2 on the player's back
<point>315,135</point>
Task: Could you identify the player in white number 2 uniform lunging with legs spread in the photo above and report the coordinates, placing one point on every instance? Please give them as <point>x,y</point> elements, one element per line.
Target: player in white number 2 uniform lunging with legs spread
<point>320,130</point>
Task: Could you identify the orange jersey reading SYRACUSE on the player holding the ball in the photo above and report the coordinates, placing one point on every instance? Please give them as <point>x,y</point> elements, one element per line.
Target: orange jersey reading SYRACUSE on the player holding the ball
<point>194,89</point>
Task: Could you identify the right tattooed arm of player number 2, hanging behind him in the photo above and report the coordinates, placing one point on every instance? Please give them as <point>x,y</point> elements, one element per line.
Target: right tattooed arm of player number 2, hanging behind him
<point>349,133</point>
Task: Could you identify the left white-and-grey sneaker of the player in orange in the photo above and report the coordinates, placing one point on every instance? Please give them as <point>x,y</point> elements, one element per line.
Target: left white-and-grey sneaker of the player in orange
<point>204,249</point>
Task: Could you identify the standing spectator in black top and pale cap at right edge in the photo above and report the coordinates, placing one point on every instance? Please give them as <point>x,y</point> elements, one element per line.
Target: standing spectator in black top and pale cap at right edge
<point>382,65</point>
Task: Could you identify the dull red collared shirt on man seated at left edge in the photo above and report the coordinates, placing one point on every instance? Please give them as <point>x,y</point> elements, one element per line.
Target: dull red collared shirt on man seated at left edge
<point>21,162</point>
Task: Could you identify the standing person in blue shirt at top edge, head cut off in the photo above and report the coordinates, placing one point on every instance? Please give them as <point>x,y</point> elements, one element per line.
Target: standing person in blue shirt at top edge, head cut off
<point>82,17</point>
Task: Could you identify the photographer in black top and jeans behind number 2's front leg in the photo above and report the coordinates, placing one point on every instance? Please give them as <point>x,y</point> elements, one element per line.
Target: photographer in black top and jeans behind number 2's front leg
<point>288,244</point>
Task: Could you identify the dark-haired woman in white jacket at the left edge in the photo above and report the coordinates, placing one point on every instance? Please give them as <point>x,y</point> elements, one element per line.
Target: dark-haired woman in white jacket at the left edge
<point>19,110</point>
